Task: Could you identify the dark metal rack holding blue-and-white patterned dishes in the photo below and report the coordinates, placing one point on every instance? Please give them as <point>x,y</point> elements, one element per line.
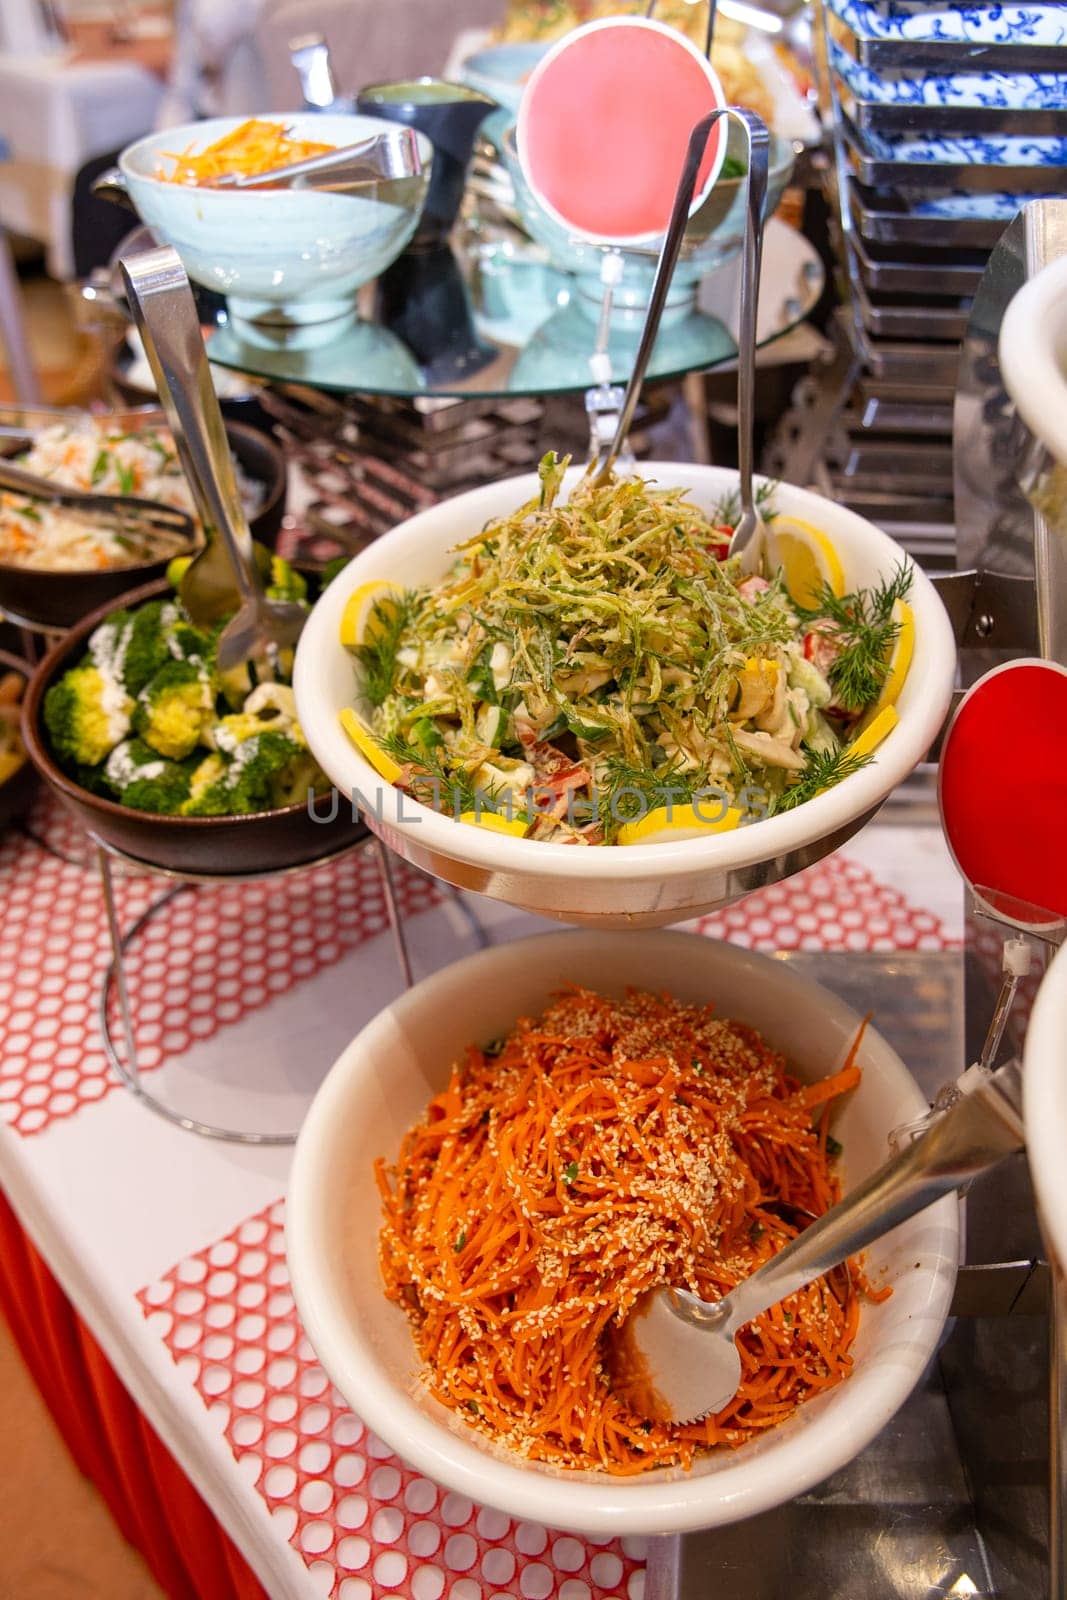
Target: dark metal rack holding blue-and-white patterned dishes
<point>911,274</point>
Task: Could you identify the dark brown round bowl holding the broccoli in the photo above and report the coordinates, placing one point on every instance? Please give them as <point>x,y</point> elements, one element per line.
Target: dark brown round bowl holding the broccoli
<point>202,846</point>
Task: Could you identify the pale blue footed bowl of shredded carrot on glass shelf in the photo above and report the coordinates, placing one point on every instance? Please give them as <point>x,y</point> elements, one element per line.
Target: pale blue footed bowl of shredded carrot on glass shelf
<point>286,258</point>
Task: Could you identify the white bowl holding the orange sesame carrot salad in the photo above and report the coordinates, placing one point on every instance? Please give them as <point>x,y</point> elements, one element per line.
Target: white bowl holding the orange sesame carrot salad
<point>382,1086</point>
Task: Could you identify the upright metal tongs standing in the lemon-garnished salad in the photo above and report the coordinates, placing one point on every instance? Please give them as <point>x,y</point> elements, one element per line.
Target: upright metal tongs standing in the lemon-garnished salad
<point>748,540</point>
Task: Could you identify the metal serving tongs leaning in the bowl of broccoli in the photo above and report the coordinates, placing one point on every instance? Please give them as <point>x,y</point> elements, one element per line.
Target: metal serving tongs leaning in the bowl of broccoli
<point>225,575</point>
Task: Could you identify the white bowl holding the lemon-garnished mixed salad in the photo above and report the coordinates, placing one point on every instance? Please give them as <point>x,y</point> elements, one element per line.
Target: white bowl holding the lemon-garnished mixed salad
<point>641,886</point>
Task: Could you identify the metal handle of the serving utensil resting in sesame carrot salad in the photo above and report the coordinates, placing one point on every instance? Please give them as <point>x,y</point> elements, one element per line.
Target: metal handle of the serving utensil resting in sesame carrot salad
<point>972,1137</point>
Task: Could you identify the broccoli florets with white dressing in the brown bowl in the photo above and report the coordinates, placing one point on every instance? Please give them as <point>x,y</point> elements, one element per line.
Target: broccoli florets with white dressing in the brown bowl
<point>150,721</point>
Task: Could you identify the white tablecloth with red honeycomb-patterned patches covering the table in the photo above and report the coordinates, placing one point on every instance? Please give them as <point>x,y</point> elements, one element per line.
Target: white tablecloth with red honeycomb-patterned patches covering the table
<point>172,1246</point>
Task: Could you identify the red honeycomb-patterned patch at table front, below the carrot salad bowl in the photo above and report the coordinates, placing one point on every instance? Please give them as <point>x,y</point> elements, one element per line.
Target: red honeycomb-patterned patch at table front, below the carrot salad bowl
<point>364,1522</point>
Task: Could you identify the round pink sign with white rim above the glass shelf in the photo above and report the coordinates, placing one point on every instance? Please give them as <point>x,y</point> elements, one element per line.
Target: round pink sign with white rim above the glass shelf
<point>605,122</point>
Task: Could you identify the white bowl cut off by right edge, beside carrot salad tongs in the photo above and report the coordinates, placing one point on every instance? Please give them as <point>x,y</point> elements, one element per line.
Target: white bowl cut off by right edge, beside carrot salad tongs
<point>1045,1105</point>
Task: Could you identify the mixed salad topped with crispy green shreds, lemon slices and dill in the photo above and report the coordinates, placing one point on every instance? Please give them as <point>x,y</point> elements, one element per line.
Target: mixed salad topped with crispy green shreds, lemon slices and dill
<point>601,671</point>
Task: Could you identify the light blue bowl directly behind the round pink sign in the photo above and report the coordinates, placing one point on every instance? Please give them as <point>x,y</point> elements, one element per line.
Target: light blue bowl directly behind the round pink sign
<point>714,236</point>
